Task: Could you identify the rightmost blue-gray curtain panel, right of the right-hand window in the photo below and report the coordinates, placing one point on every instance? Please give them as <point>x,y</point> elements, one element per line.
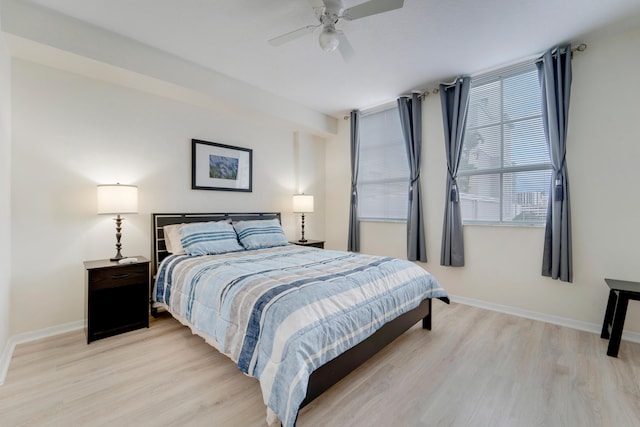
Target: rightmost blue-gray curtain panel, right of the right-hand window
<point>554,70</point>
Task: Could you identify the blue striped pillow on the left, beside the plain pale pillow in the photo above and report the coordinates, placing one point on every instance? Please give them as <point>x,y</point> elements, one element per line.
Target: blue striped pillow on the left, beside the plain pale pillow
<point>209,238</point>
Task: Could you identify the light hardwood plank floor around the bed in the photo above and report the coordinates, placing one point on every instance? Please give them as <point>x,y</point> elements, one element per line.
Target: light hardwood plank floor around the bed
<point>475,368</point>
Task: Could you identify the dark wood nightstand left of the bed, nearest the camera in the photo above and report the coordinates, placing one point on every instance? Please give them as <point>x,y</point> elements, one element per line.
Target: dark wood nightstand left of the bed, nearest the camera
<point>117,297</point>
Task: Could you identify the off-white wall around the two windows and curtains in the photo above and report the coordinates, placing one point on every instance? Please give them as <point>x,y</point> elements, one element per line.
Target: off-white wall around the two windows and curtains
<point>503,264</point>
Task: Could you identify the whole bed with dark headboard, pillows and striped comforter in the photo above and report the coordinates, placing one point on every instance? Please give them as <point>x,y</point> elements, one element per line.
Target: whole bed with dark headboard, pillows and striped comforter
<point>298,319</point>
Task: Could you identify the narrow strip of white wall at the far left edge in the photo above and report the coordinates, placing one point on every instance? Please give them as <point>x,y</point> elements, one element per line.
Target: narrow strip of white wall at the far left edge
<point>5,192</point>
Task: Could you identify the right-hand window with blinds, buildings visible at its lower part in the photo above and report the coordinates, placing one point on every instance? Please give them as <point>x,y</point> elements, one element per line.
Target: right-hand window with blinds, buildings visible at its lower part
<point>505,171</point>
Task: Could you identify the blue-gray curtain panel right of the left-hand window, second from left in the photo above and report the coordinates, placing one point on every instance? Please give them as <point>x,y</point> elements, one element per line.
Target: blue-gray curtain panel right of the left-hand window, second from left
<point>411,122</point>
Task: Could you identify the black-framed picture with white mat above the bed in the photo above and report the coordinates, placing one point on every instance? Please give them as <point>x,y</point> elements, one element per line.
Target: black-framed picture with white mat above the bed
<point>220,167</point>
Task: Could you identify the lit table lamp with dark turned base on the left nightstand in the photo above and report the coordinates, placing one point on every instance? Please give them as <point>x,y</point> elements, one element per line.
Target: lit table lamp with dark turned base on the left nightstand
<point>117,199</point>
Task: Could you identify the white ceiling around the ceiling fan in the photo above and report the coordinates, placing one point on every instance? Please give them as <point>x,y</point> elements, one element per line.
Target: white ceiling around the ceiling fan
<point>412,48</point>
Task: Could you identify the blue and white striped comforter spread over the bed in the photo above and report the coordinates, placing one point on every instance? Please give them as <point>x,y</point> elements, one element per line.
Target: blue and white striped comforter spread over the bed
<point>280,313</point>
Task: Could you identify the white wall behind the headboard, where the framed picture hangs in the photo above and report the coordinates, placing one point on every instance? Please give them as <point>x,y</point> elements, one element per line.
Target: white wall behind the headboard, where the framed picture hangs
<point>71,133</point>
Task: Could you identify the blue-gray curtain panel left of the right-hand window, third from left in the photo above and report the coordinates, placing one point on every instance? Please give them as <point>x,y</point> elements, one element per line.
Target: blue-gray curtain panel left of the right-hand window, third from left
<point>455,103</point>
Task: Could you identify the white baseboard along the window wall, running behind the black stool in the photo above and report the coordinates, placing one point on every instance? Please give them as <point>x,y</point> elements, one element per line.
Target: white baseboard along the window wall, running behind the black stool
<point>548,318</point>
